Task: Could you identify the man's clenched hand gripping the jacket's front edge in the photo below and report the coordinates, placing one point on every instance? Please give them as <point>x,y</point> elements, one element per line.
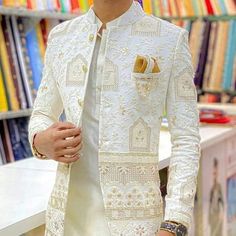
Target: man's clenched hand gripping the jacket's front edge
<point>60,142</point>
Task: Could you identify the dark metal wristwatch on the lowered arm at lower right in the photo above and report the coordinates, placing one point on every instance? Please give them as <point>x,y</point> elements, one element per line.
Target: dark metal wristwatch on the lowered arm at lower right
<point>174,227</point>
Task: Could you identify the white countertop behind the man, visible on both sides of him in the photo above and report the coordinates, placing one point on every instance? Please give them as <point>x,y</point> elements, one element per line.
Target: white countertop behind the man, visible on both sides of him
<point>26,185</point>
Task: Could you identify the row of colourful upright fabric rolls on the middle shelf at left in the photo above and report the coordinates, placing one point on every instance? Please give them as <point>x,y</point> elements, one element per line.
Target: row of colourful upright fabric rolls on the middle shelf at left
<point>22,44</point>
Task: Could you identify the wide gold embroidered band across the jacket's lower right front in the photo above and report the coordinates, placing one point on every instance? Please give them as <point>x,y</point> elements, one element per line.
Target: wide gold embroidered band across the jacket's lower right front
<point>135,193</point>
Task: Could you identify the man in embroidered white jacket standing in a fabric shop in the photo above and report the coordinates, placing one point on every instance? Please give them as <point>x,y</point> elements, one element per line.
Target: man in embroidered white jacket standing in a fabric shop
<point>114,70</point>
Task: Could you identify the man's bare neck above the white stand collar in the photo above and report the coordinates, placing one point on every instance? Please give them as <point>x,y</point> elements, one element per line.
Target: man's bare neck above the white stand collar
<point>108,10</point>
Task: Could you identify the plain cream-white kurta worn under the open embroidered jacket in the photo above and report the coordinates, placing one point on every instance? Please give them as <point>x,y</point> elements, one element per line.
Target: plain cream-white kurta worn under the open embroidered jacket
<point>85,213</point>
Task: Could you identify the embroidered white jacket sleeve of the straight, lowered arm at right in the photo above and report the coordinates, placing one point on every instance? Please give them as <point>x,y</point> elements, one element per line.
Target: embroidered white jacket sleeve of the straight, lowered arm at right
<point>183,120</point>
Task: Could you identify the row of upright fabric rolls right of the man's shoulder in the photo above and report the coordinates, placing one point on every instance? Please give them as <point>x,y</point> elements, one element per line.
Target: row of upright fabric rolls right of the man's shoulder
<point>214,54</point>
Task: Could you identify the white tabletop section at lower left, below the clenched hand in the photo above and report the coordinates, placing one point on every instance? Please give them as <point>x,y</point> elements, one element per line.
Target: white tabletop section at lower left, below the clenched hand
<point>24,190</point>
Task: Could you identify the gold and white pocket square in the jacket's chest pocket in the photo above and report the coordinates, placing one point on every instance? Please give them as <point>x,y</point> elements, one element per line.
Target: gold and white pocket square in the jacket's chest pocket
<point>146,64</point>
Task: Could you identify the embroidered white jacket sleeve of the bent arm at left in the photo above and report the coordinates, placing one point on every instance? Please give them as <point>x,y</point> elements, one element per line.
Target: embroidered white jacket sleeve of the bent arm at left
<point>48,105</point>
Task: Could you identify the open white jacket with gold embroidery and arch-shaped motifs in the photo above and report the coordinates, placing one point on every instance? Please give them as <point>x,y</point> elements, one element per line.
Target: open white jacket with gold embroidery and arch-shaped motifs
<point>131,112</point>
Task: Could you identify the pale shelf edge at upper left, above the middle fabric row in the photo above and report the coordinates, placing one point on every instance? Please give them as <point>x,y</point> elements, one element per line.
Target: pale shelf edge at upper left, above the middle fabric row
<point>37,14</point>
